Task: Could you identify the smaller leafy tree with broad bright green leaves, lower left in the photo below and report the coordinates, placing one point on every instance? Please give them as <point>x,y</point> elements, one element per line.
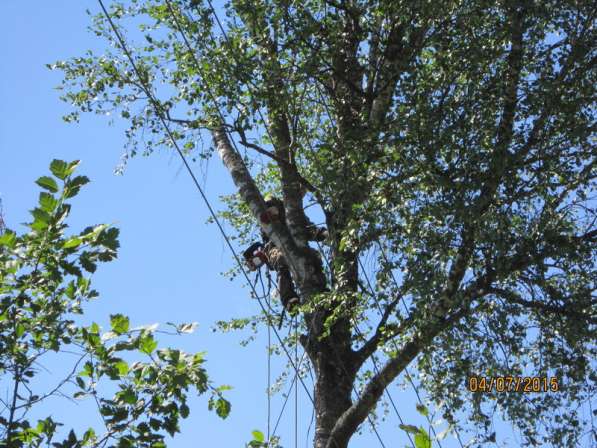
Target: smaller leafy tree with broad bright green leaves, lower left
<point>44,285</point>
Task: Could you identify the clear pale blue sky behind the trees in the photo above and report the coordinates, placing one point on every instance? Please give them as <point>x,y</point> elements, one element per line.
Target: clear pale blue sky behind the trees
<point>170,261</point>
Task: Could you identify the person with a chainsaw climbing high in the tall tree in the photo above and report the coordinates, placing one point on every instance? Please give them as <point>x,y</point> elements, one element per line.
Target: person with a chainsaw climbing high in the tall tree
<point>266,252</point>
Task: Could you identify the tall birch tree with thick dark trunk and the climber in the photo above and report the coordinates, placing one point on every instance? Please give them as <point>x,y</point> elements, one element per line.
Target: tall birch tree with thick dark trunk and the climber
<point>451,145</point>
